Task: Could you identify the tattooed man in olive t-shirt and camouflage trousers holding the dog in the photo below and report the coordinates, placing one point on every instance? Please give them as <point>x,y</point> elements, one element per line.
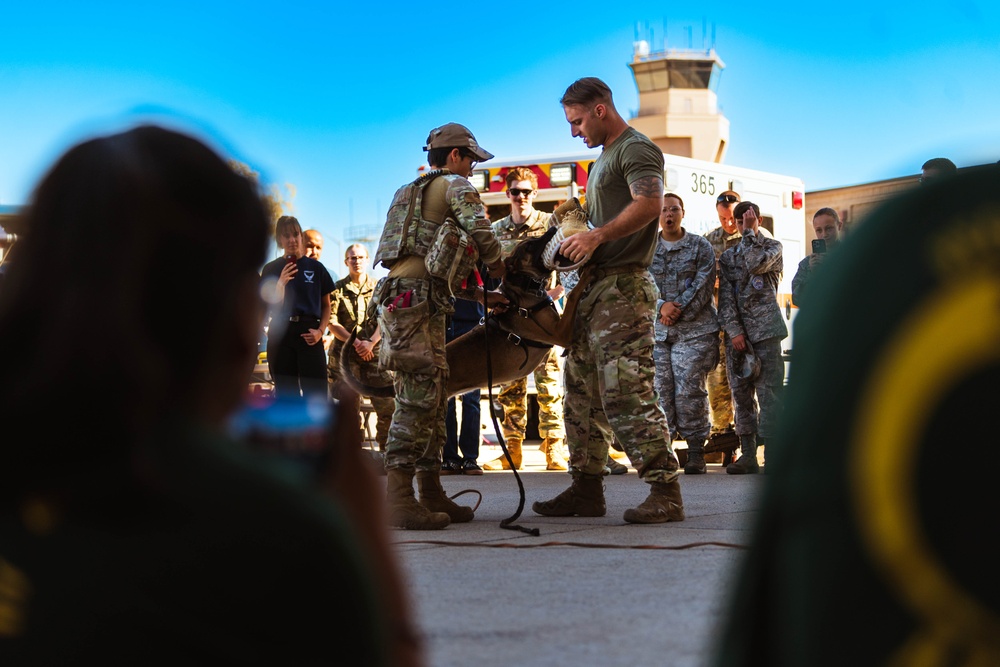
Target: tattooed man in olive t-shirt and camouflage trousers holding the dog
<point>609,370</point>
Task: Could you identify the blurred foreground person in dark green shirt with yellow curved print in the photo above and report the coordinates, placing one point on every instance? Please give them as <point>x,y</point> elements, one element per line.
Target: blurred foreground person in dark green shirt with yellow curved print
<point>868,548</point>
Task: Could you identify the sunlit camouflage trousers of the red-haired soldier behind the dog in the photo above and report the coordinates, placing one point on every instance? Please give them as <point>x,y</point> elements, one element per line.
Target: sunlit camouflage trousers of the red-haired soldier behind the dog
<point>513,397</point>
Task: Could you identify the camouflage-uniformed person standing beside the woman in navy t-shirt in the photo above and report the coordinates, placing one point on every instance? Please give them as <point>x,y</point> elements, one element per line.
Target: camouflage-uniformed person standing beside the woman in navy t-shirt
<point>349,302</point>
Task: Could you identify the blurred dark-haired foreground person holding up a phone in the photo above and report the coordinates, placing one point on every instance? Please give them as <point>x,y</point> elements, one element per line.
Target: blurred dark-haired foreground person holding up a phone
<point>161,541</point>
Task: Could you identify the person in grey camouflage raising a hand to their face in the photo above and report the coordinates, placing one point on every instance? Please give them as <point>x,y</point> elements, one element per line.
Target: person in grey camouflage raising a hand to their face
<point>749,313</point>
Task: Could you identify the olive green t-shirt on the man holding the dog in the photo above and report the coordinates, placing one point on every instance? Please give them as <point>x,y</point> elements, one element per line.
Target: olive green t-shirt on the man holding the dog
<point>629,157</point>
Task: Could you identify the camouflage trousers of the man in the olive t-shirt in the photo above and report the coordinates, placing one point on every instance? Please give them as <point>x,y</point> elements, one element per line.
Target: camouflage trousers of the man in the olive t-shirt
<point>609,380</point>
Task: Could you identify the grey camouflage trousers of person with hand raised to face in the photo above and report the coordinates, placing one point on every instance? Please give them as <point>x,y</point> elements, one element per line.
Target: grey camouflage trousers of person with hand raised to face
<point>764,391</point>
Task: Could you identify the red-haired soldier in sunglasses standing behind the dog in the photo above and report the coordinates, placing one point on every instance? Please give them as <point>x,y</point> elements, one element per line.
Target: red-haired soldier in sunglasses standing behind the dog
<point>525,222</point>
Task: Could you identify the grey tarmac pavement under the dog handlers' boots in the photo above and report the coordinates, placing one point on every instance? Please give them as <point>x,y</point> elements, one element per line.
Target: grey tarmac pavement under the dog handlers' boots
<point>584,591</point>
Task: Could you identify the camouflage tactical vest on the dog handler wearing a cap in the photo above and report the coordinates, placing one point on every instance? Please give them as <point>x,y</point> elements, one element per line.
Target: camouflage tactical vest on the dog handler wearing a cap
<point>406,232</point>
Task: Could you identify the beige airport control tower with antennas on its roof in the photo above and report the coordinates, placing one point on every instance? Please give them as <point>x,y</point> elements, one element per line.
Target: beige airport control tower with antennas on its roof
<point>678,107</point>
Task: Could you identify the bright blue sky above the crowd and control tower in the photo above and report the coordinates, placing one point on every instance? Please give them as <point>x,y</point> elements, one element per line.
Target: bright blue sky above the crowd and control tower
<point>337,100</point>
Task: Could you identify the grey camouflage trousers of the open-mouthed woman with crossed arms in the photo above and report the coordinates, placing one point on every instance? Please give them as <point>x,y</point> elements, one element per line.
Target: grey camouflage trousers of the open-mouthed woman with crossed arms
<point>681,369</point>
